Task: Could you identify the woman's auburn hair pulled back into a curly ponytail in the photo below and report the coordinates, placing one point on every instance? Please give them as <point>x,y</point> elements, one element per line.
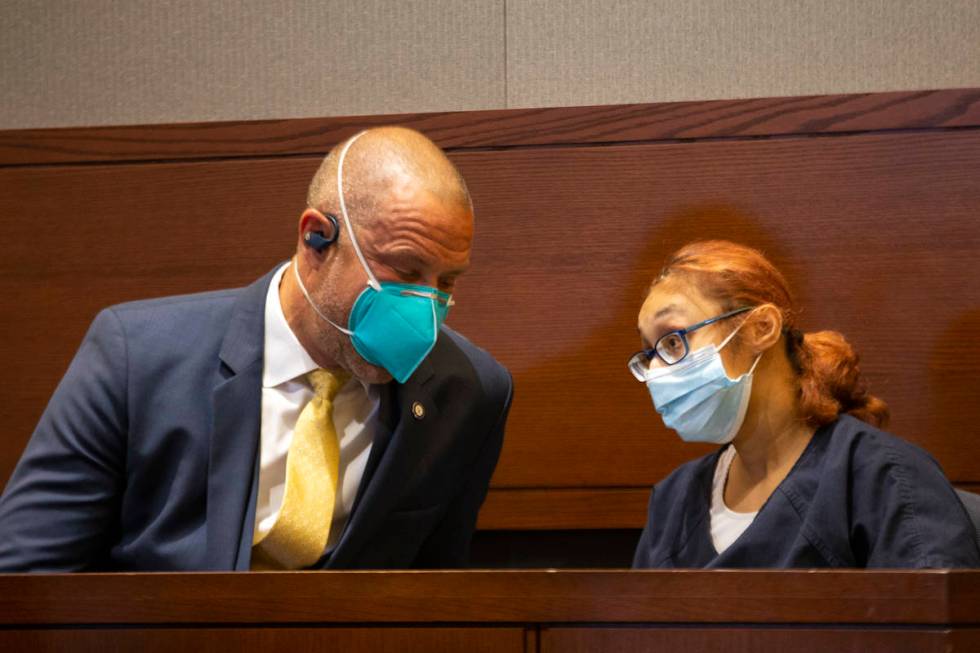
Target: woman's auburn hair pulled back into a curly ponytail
<point>830,381</point>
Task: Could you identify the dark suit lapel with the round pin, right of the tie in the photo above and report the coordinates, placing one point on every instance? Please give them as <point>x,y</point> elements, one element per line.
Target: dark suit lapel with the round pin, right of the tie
<point>396,453</point>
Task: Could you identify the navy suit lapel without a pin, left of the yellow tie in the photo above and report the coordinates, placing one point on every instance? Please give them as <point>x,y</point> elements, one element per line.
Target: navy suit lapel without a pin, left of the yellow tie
<point>236,404</point>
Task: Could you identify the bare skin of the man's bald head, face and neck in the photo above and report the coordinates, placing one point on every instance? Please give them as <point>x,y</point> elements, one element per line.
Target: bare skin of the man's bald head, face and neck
<point>411,223</point>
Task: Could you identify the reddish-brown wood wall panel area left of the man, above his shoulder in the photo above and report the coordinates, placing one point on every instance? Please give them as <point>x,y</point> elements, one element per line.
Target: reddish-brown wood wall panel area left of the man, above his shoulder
<point>76,239</point>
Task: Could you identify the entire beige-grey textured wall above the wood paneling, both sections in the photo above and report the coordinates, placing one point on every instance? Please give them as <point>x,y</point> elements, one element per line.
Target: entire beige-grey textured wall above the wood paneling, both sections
<point>98,62</point>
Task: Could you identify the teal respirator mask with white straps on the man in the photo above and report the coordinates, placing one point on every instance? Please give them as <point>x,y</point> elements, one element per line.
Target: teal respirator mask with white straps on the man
<point>392,325</point>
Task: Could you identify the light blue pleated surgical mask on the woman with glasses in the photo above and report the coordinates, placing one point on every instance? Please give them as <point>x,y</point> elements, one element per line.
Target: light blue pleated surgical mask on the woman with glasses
<point>697,398</point>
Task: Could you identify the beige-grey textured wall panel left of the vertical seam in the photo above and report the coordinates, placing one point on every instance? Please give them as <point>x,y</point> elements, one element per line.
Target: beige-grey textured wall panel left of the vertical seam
<point>98,62</point>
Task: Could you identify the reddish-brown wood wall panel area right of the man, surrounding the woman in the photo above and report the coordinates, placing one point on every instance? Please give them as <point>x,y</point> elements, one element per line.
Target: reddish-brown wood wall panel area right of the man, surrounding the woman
<point>878,235</point>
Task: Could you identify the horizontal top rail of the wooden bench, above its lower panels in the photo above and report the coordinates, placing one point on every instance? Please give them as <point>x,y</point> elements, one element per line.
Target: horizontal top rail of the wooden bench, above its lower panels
<point>495,597</point>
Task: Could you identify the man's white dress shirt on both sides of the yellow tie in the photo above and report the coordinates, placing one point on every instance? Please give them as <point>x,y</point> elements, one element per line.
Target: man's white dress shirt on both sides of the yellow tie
<point>285,392</point>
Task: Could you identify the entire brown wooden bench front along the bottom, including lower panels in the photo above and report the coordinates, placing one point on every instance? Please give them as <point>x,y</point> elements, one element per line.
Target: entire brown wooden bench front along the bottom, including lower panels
<point>521,611</point>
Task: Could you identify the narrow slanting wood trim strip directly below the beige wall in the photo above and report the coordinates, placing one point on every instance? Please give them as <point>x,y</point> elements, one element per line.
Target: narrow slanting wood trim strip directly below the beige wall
<point>821,114</point>
